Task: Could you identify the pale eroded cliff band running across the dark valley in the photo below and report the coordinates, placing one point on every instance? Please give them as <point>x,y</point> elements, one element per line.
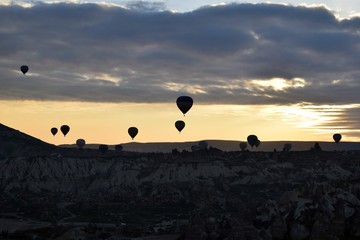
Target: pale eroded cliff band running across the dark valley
<point>80,175</point>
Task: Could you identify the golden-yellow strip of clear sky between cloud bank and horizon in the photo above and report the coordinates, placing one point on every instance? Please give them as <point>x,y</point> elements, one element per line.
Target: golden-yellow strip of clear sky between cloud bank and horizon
<point>108,122</point>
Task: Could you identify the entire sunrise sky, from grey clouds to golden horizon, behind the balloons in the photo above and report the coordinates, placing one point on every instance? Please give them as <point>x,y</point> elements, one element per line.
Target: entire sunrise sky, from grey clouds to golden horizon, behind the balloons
<point>280,70</point>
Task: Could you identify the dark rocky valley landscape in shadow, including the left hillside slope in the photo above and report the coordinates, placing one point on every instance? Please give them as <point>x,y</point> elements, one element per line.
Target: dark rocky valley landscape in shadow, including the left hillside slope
<point>49,192</point>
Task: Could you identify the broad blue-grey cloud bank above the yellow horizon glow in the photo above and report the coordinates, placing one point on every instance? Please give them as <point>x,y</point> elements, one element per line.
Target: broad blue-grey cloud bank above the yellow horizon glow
<point>225,54</point>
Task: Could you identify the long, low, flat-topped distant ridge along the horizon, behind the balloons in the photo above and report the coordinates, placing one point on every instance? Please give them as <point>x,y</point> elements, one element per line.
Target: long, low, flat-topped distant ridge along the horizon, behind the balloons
<point>228,145</point>
